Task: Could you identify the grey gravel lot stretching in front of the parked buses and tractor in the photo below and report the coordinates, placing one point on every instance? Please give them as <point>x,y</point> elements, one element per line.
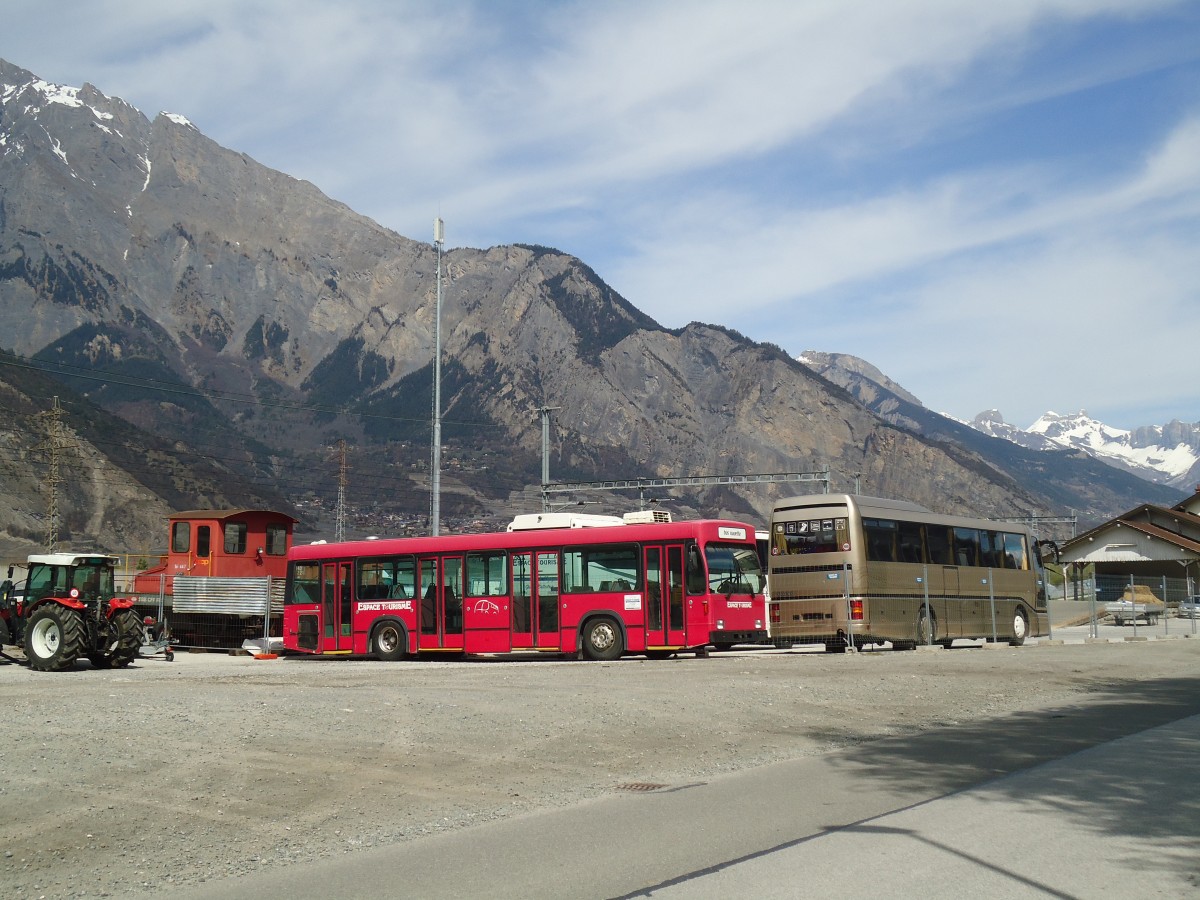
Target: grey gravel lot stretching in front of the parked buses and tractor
<point>164,775</point>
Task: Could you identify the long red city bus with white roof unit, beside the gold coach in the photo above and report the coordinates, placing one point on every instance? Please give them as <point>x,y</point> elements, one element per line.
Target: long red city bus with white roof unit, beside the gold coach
<point>547,584</point>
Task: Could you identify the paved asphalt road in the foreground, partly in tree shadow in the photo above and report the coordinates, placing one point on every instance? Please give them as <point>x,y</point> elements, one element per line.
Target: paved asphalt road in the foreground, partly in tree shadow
<point>1089,800</point>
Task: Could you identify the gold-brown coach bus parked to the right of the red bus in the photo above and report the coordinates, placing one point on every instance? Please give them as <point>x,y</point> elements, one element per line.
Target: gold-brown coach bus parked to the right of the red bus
<point>850,572</point>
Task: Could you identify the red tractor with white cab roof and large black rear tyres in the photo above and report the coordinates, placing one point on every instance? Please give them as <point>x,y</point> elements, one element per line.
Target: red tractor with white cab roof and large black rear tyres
<point>68,610</point>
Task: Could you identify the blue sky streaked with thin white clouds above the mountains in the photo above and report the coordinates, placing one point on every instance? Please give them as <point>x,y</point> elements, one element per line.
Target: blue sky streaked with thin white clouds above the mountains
<point>997,205</point>
